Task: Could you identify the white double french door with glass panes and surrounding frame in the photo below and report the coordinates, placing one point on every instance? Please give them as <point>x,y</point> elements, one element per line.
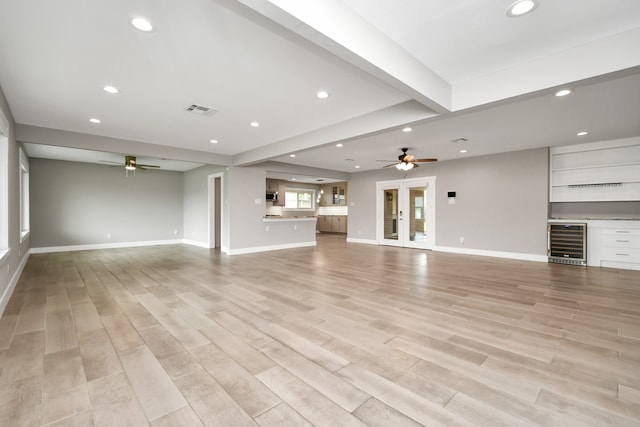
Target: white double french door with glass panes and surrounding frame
<point>405,213</point>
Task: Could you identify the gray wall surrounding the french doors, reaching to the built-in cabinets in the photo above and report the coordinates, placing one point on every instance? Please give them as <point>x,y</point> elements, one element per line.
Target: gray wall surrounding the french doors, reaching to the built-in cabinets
<point>501,203</point>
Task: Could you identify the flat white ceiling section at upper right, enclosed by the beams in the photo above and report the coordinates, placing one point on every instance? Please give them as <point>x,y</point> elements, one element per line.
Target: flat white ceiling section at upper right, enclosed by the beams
<point>463,39</point>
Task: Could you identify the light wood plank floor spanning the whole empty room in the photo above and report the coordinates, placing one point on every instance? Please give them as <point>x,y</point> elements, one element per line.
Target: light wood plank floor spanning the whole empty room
<point>341,334</point>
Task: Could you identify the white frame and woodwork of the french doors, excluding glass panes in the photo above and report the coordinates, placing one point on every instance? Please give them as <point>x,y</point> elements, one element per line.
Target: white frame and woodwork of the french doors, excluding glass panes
<point>403,186</point>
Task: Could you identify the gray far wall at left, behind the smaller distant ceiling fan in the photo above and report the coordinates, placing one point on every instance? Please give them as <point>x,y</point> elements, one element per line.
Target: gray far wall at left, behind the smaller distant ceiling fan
<point>80,203</point>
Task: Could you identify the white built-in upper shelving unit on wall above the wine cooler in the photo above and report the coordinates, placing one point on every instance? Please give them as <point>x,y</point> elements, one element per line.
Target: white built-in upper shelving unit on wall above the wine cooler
<point>596,172</point>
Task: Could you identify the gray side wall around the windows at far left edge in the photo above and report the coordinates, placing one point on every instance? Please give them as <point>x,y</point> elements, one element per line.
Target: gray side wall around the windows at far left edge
<point>18,251</point>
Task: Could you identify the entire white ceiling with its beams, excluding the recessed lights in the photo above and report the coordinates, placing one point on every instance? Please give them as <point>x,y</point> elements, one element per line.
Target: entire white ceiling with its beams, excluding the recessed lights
<point>450,69</point>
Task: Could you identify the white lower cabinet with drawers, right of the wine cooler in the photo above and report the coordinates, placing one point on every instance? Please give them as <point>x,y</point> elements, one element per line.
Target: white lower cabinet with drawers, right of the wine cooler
<point>613,244</point>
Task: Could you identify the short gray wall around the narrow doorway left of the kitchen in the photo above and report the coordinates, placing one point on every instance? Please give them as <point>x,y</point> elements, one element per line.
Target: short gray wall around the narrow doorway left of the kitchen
<point>196,203</point>
